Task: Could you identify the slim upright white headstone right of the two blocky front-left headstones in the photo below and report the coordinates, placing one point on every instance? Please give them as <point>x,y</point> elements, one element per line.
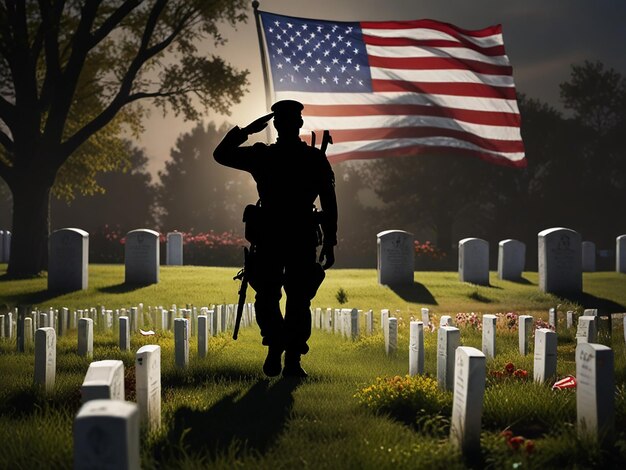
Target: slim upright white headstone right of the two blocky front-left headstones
<point>148,379</point>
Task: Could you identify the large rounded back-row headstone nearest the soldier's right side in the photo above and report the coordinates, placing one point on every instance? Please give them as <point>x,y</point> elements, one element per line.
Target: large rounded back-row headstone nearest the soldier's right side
<point>396,257</point>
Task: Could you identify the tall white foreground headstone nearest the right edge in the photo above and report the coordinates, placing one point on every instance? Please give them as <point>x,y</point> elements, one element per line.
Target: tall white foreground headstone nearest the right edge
<point>595,391</point>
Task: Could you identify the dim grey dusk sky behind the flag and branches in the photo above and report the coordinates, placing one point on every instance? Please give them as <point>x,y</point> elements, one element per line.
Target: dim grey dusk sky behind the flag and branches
<point>543,38</point>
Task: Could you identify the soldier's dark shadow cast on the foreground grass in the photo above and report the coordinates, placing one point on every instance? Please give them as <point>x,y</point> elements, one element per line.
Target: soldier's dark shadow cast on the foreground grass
<point>251,423</point>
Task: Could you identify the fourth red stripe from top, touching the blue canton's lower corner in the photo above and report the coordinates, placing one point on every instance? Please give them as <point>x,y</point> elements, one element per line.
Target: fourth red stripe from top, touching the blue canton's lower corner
<point>442,88</point>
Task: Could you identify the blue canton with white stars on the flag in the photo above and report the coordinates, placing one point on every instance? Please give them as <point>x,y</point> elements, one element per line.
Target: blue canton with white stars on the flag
<point>316,56</point>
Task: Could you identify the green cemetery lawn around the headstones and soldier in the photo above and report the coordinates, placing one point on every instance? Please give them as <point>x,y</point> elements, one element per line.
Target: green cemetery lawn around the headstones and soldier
<point>222,412</point>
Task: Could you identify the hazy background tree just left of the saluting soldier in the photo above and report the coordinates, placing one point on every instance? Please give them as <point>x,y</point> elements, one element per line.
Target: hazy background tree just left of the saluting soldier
<point>197,193</point>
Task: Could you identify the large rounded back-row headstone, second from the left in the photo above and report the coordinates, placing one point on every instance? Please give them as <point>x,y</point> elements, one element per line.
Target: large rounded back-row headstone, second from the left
<point>141,257</point>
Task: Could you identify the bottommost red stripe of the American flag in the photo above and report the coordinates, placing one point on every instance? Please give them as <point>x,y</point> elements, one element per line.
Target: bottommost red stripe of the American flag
<point>425,150</point>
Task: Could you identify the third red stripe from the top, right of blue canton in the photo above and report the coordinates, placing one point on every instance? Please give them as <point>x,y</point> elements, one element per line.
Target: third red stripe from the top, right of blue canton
<point>439,63</point>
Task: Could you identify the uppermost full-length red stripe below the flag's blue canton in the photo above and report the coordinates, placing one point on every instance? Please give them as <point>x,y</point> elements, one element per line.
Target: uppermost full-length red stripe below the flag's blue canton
<point>490,118</point>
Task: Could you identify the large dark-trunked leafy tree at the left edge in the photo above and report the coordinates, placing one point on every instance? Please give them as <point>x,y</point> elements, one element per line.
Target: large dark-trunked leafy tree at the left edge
<point>73,74</point>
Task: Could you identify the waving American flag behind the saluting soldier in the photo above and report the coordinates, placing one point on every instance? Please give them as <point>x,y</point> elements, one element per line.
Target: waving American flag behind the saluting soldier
<point>395,88</point>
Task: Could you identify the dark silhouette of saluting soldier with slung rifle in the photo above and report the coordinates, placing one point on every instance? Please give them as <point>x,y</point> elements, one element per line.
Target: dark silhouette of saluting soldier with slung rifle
<point>284,230</point>
